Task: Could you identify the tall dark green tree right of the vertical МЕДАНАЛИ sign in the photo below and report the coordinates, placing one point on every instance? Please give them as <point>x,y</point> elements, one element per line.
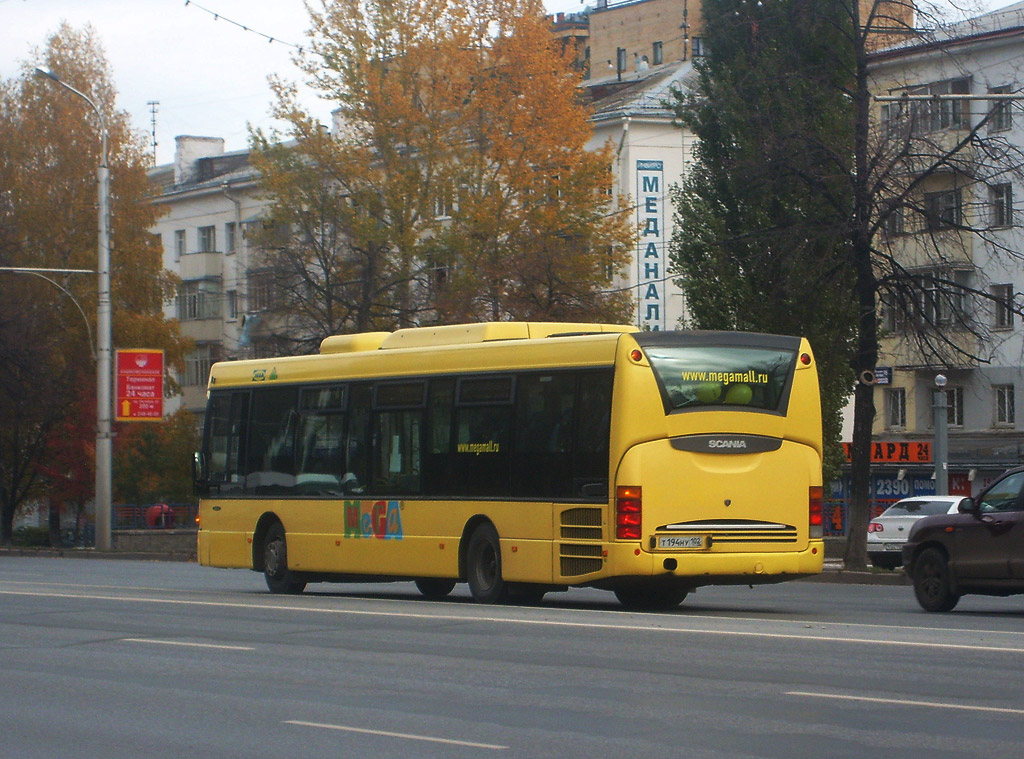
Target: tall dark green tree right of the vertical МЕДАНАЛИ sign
<point>757,244</point>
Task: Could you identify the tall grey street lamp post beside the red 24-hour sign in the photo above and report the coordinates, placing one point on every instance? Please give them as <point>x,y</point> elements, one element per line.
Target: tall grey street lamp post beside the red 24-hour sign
<point>104,392</point>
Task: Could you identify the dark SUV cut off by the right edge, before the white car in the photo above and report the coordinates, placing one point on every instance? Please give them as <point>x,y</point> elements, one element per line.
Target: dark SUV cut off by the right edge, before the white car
<point>980,550</point>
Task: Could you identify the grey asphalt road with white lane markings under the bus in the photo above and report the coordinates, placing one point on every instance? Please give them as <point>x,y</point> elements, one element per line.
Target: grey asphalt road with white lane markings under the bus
<point>108,659</point>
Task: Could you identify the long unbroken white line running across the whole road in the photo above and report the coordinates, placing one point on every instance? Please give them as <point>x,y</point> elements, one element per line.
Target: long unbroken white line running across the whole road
<point>660,625</point>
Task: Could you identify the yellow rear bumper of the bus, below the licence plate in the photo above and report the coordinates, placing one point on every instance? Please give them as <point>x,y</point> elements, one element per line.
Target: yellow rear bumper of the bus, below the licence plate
<point>627,564</point>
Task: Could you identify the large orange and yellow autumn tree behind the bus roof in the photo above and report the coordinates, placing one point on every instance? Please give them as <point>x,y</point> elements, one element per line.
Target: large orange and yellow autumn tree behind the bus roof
<point>456,185</point>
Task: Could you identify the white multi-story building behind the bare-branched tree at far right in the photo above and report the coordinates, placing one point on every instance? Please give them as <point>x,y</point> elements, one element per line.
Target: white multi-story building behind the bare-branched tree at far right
<point>986,416</point>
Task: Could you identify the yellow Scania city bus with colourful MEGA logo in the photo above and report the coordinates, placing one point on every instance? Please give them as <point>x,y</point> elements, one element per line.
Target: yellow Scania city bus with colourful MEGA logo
<point>521,458</point>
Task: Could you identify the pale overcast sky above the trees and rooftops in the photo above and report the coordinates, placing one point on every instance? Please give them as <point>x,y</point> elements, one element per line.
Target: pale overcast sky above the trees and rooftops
<point>208,74</point>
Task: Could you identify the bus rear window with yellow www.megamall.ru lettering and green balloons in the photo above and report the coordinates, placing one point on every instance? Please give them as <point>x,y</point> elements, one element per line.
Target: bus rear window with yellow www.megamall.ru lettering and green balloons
<point>722,376</point>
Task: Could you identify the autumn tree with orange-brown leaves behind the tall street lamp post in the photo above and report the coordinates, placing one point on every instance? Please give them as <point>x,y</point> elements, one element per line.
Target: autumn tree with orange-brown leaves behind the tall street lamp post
<point>50,151</point>
